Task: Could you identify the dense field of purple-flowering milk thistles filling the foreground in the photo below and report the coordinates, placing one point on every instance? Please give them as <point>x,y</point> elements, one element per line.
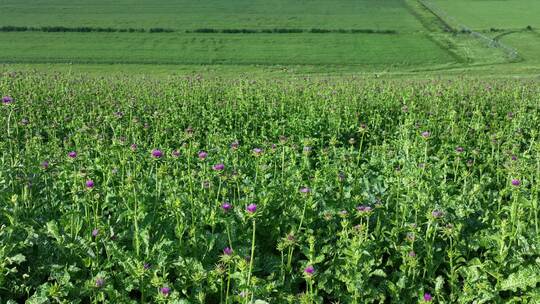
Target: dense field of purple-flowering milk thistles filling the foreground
<point>186,190</point>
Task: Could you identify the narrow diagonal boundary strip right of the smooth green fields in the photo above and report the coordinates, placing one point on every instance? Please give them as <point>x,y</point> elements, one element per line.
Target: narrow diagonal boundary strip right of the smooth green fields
<point>449,21</point>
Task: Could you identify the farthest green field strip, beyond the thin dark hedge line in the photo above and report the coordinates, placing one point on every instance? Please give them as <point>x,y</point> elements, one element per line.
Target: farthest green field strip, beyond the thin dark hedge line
<point>188,15</point>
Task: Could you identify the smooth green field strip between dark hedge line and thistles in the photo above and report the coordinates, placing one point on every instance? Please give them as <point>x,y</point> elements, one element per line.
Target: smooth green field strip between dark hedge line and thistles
<point>364,50</point>
